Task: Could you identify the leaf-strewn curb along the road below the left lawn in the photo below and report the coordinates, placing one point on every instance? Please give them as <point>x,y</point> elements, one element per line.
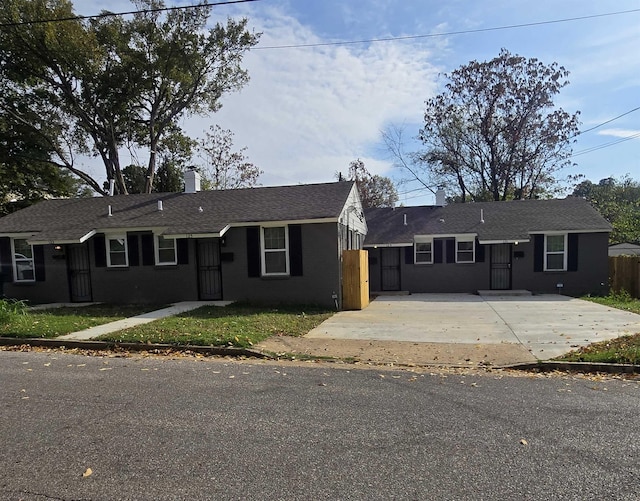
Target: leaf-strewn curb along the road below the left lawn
<point>110,345</point>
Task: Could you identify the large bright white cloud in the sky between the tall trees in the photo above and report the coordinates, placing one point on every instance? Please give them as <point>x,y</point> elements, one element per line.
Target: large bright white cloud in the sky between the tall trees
<point>307,112</point>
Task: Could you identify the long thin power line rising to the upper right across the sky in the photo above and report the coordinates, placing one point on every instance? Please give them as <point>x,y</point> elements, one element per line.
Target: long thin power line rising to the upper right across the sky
<point>444,34</point>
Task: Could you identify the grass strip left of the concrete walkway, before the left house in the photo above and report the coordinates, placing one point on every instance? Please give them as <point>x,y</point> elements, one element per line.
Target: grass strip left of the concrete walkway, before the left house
<point>59,321</point>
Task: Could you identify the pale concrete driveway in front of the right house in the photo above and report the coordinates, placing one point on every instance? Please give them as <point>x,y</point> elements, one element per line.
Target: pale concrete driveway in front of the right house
<point>546,325</point>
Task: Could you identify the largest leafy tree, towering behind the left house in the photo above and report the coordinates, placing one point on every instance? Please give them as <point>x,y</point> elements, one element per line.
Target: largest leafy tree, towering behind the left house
<point>94,87</point>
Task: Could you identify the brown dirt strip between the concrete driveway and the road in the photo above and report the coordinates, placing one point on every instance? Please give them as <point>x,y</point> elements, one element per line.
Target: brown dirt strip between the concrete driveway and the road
<point>400,353</point>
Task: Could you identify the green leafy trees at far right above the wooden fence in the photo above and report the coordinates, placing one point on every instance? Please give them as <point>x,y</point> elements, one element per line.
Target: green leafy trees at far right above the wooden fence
<point>618,200</point>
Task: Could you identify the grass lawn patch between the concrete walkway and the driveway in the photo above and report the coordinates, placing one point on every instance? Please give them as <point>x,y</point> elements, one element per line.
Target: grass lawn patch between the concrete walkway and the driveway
<point>241,325</point>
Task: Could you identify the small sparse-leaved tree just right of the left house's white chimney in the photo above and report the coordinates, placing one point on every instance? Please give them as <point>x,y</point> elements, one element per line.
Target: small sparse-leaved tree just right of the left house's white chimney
<point>223,167</point>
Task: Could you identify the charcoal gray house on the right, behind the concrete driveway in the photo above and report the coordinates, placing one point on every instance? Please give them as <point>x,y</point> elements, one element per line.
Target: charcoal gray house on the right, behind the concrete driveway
<point>543,246</point>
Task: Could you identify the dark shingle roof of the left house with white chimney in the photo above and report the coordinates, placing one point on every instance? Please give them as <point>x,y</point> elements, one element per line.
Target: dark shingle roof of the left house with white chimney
<point>183,213</point>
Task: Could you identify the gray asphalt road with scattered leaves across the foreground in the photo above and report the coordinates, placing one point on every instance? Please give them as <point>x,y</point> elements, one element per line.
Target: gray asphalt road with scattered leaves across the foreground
<point>152,428</point>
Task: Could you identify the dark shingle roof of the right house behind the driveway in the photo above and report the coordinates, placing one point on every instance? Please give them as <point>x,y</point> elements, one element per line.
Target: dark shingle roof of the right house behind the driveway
<point>503,221</point>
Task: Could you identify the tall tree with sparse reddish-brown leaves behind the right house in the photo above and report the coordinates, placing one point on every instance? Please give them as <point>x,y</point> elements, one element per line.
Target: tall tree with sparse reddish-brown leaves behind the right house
<point>494,132</point>
